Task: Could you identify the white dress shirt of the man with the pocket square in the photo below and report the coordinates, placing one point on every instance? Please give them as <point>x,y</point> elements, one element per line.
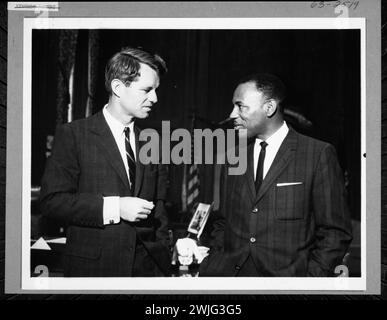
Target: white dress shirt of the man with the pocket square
<point>273,144</point>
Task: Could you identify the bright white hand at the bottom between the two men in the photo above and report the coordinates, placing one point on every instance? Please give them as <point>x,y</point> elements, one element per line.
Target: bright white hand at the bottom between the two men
<point>187,251</point>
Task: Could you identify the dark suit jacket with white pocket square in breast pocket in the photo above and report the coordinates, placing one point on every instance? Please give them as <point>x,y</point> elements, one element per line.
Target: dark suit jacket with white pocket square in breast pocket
<point>290,230</point>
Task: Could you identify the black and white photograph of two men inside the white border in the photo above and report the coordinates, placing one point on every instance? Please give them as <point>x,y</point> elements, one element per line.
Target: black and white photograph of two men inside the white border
<point>295,213</point>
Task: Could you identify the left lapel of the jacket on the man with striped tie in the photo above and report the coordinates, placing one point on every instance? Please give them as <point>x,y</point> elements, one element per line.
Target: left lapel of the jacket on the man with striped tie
<point>109,147</point>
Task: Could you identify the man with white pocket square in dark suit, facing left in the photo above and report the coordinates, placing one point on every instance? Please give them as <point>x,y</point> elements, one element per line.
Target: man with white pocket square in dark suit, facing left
<point>287,215</point>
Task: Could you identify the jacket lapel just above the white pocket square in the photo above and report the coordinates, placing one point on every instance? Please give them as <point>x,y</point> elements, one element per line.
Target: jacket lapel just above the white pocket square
<point>281,160</point>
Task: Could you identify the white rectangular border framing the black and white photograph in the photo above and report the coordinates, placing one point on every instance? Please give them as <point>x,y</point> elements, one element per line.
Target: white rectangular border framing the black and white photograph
<point>173,284</point>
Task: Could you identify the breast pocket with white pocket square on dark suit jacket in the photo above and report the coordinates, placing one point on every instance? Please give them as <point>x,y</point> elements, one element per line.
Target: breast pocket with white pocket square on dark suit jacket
<point>289,201</point>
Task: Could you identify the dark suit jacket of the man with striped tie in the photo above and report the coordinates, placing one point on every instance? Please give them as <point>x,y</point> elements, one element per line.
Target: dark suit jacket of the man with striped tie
<point>86,166</point>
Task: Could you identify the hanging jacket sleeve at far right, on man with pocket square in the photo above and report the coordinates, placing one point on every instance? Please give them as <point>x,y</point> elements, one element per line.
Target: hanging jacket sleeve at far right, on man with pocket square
<point>331,214</point>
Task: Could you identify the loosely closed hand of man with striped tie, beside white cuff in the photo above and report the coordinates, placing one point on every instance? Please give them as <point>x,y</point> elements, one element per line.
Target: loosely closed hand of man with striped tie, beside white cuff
<point>134,209</point>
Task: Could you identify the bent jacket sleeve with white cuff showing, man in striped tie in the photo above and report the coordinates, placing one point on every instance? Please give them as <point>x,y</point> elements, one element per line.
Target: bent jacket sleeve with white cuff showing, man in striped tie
<point>60,198</point>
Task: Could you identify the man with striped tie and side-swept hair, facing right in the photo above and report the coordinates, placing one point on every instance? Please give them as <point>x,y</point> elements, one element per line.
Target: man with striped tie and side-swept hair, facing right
<point>94,183</point>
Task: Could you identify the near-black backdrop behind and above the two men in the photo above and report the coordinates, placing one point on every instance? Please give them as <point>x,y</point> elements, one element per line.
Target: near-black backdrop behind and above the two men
<point>321,69</point>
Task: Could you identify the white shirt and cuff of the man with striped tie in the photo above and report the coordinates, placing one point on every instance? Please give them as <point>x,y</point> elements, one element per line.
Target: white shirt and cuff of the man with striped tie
<point>111,205</point>
